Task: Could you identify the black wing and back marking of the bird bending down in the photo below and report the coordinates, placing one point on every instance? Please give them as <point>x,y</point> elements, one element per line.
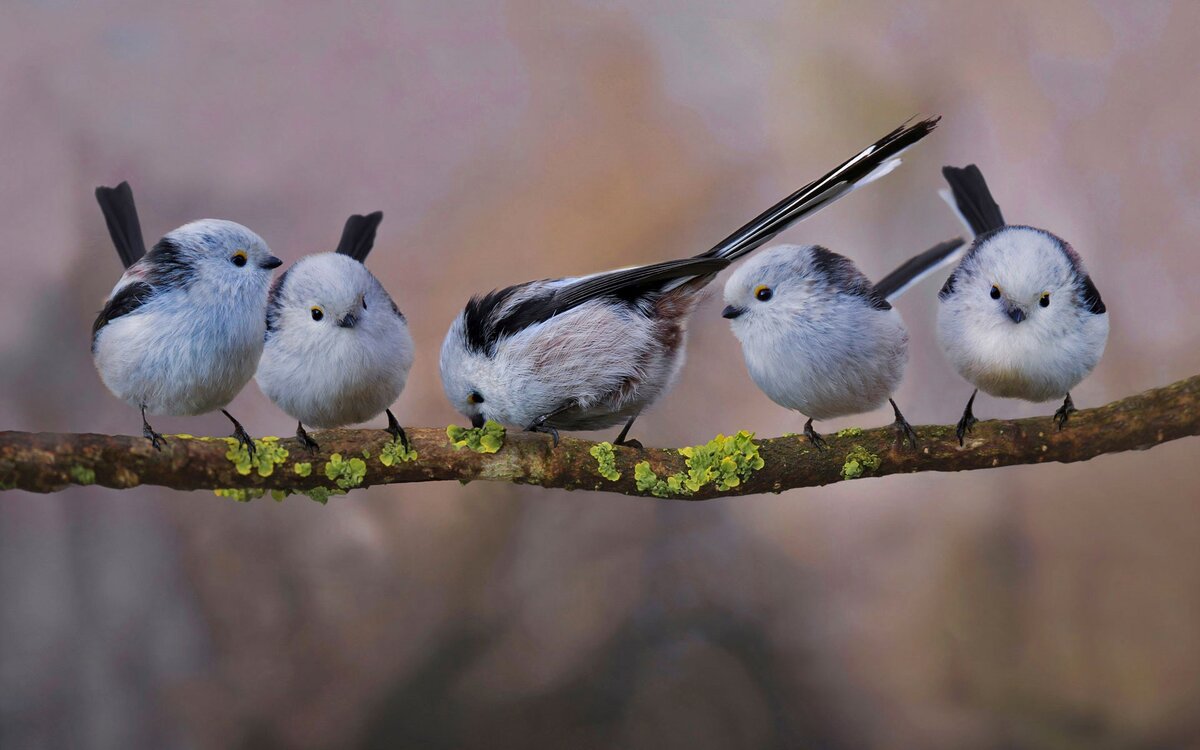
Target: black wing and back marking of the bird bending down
<point>491,317</point>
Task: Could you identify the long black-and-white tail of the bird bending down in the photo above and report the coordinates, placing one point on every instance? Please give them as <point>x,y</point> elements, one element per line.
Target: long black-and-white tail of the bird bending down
<point>872,163</point>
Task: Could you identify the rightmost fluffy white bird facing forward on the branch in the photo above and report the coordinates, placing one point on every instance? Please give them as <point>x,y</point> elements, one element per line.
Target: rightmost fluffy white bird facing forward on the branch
<point>1019,317</point>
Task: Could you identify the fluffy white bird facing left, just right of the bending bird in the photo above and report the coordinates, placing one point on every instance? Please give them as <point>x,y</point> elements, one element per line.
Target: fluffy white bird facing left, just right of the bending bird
<point>819,338</point>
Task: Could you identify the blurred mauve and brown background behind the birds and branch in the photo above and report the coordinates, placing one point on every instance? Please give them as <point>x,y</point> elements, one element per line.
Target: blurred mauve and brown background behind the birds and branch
<point>1043,607</point>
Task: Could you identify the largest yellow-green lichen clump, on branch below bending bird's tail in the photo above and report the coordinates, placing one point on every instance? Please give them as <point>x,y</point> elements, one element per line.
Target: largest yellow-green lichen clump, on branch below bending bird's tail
<point>724,463</point>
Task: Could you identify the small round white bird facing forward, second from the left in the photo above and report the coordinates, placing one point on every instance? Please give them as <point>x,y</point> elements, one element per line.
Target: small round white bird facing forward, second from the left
<point>338,349</point>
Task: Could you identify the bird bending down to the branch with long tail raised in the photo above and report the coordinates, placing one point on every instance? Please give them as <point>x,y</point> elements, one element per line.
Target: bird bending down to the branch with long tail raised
<point>593,352</point>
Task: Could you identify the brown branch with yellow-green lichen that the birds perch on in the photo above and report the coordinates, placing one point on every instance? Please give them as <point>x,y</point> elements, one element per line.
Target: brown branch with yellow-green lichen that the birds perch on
<point>734,466</point>
